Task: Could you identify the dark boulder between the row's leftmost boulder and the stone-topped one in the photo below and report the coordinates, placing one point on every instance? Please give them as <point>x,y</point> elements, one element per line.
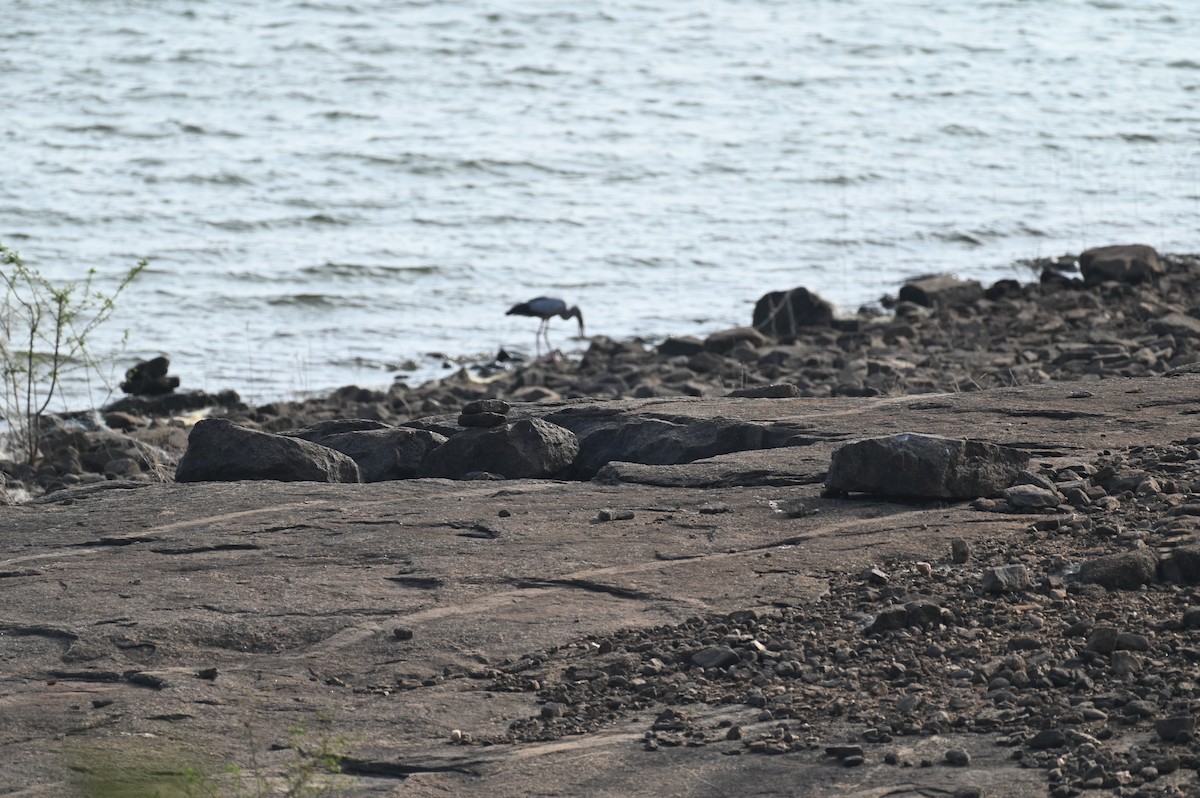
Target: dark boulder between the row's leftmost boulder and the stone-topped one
<point>382,452</point>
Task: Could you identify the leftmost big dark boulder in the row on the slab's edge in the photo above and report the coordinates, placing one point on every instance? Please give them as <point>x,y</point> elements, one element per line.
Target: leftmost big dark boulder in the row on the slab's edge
<point>221,452</point>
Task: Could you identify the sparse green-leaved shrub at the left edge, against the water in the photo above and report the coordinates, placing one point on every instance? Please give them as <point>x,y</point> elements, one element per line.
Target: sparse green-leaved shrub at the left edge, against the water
<point>44,335</point>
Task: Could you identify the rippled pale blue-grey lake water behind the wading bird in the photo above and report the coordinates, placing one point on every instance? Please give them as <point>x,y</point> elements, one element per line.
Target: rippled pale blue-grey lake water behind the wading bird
<point>328,193</point>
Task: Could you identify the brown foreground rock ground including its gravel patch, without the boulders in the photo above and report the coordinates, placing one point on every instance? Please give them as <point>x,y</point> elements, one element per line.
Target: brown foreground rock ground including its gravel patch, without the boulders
<point>710,628</point>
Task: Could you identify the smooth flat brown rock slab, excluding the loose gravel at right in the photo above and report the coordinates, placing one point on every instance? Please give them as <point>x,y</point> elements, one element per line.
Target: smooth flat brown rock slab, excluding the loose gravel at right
<point>163,621</point>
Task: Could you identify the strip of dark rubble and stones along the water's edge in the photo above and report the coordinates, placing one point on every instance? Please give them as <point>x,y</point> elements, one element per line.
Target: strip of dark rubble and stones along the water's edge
<point>1113,313</point>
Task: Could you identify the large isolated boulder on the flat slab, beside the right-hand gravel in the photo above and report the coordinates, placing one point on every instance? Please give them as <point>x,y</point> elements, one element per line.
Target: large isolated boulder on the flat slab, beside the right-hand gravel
<point>922,466</point>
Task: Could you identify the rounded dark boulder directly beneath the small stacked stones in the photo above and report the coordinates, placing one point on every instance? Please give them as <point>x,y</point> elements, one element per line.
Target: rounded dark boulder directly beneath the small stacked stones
<point>525,449</point>
